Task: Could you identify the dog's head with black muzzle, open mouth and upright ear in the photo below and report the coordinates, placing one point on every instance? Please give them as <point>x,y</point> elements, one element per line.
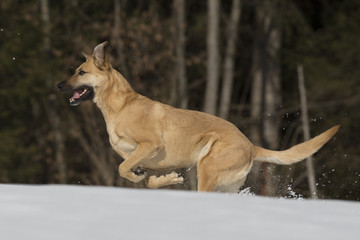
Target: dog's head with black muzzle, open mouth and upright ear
<point>88,77</point>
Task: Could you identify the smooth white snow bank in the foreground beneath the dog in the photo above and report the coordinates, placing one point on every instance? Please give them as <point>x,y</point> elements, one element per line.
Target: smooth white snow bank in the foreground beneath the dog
<point>86,212</point>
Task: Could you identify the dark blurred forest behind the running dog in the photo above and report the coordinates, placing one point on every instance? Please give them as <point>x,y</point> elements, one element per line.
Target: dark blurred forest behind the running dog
<point>239,59</point>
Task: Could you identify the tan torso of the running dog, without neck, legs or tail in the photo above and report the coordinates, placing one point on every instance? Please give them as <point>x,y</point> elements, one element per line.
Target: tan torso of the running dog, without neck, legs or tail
<point>187,136</point>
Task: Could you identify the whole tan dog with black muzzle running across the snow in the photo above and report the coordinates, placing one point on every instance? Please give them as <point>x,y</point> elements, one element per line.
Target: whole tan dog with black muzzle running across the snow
<point>150,135</point>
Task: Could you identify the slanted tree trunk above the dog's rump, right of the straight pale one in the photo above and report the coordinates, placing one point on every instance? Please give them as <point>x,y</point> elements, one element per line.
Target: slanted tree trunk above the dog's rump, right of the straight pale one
<point>229,60</point>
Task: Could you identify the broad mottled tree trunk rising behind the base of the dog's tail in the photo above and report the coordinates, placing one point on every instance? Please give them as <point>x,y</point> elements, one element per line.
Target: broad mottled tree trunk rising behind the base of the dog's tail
<point>266,87</point>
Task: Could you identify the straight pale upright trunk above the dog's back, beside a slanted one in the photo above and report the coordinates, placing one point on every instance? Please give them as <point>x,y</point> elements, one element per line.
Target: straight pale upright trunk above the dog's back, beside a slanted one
<point>211,91</point>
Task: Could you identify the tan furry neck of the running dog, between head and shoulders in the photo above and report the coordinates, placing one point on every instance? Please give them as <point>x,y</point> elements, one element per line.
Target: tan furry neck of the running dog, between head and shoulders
<point>112,97</point>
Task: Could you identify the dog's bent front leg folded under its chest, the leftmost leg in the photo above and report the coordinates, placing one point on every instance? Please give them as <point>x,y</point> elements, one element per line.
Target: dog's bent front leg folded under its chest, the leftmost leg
<point>144,151</point>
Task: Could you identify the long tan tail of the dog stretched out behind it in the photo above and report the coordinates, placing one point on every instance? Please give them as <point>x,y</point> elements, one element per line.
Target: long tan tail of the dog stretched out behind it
<point>297,152</point>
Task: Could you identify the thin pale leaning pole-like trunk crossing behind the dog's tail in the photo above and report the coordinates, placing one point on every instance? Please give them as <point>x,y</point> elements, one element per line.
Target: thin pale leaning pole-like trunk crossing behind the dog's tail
<point>306,129</point>
